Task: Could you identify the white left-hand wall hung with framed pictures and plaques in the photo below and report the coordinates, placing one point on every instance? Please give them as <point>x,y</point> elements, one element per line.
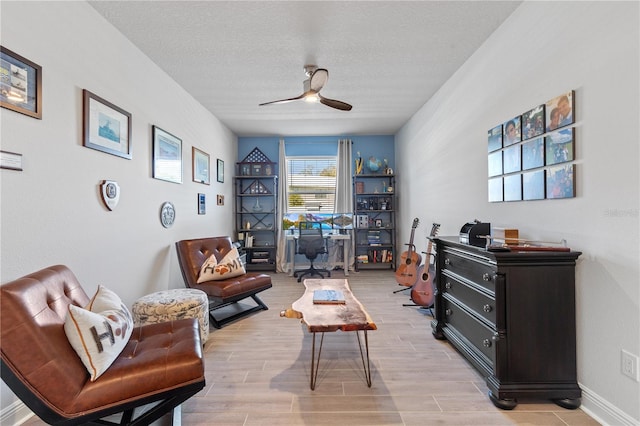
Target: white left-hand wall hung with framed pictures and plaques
<point>51,212</point>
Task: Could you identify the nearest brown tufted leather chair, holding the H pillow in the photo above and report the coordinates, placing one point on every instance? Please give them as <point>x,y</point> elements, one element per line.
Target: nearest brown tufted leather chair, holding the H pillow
<point>162,363</point>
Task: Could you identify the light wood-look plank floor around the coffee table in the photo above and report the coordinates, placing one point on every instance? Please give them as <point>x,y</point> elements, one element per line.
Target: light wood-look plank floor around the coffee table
<point>258,368</point>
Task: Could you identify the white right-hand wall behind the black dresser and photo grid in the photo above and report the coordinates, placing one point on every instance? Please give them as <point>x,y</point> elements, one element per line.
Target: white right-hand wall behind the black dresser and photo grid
<point>541,51</point>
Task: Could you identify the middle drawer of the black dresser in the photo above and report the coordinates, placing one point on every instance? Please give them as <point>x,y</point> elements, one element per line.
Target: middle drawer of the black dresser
<point>473,296</point>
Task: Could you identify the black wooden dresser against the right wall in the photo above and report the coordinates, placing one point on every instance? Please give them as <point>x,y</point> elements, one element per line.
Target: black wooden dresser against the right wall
<point>512,316</point>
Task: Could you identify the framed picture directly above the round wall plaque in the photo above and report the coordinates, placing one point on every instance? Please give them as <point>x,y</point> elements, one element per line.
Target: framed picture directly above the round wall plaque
<point>167,156</point>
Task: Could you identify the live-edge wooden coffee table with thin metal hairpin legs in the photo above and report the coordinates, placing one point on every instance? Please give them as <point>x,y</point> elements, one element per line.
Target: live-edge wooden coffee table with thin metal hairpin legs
<point>322,318</point>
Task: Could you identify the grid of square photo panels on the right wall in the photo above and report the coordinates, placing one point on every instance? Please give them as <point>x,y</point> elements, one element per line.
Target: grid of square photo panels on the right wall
<point>531,155</point>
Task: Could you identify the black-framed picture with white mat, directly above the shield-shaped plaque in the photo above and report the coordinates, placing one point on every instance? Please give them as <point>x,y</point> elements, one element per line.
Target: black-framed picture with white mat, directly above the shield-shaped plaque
<point>106,127</point>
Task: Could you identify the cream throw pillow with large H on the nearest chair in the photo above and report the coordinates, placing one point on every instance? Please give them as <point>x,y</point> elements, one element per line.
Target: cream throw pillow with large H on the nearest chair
<point>99,332</point>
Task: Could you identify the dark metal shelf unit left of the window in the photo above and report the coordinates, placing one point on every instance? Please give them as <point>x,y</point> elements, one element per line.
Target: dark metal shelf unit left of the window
<point>256,219</point>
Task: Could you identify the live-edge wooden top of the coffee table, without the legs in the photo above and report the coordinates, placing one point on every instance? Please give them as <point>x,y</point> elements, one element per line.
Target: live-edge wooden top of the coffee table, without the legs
<point>350,316</point>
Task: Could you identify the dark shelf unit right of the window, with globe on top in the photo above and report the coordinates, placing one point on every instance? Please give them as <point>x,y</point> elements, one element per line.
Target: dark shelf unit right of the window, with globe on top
<point>375,221</point>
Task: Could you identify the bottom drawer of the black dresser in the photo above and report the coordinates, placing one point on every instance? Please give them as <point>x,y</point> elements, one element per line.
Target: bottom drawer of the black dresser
<point>474,331</point>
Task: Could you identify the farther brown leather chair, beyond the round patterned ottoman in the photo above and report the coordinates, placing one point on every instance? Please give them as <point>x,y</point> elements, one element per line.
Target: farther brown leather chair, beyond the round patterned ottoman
<point>193,253</point>
